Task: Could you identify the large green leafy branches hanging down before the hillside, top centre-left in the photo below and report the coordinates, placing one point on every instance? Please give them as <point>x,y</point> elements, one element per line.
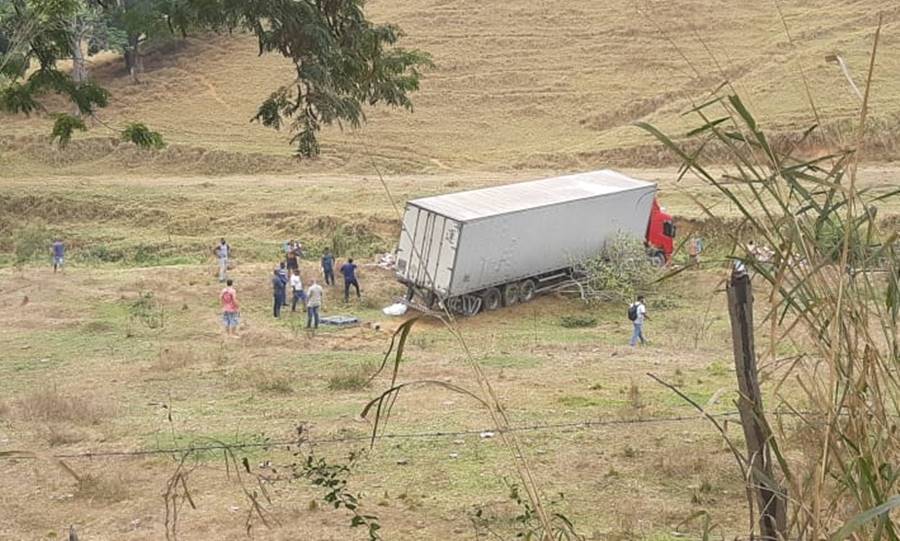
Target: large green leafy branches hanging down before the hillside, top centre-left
<point>342,60</point>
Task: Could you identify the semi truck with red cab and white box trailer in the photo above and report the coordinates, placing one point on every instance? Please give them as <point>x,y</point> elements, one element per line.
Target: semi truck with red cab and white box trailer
<point>492,247</point>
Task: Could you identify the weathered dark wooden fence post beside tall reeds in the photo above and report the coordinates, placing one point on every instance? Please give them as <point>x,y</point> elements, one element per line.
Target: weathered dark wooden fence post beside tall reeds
<point>769,496</point>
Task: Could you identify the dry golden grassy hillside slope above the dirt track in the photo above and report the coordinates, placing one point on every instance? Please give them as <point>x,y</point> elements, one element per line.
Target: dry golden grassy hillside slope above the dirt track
<point>538,85</point>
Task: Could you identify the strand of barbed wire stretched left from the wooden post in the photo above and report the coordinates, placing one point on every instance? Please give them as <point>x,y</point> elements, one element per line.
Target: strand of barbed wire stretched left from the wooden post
<point>218,446</point>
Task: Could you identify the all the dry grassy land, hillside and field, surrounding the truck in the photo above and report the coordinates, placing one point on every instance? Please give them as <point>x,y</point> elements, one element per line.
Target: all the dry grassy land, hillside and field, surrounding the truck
<point>90,364</point>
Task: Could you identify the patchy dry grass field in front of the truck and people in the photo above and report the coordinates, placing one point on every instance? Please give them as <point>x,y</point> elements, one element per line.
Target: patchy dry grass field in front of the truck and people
<point>81,374</point>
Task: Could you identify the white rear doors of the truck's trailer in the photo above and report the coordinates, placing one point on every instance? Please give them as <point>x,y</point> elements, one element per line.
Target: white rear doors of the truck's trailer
<point>427,249</point>
